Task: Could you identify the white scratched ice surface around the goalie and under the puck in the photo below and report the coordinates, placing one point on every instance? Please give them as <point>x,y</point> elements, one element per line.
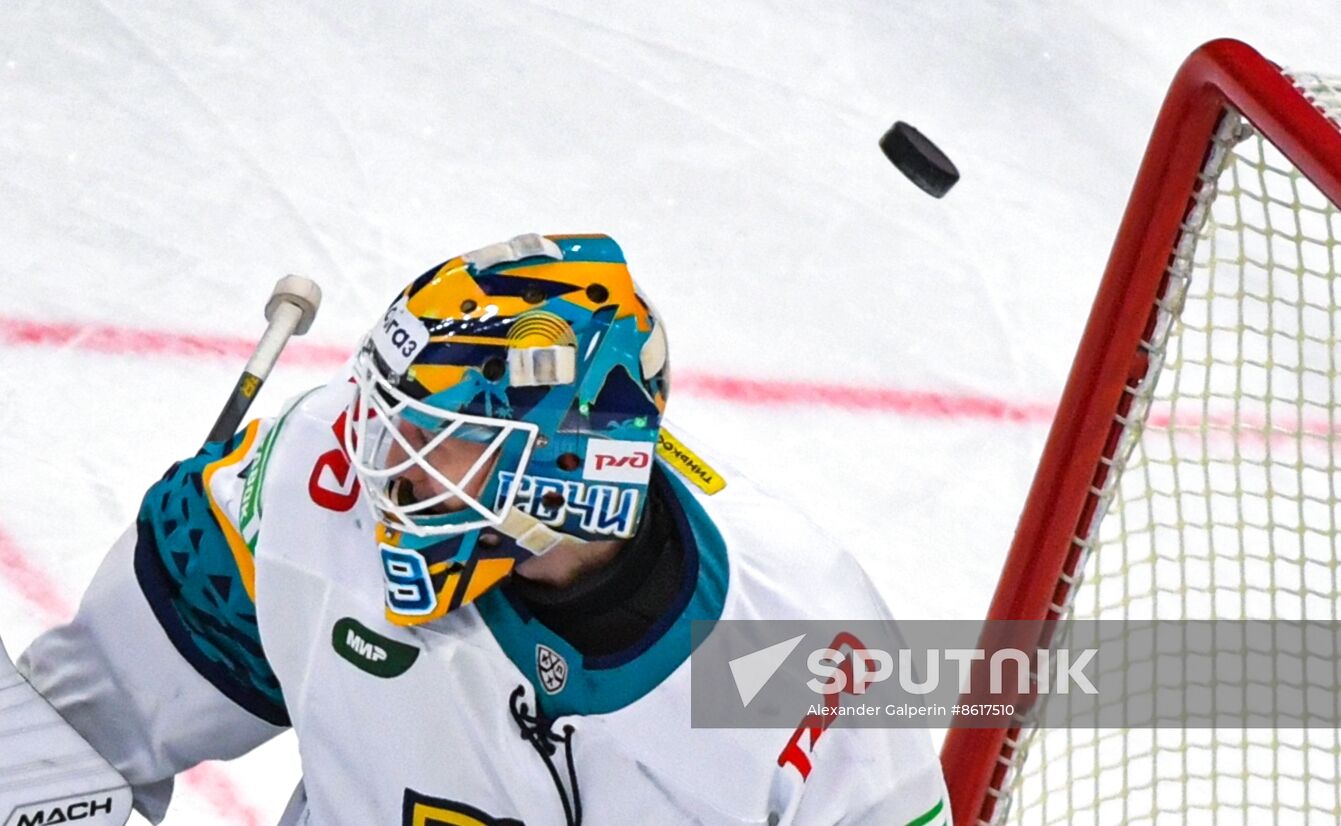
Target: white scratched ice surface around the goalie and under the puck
<point>162,164</point>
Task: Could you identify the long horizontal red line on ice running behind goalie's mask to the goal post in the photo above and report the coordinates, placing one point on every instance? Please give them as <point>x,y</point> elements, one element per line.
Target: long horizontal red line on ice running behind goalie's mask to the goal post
<point>112,340</point>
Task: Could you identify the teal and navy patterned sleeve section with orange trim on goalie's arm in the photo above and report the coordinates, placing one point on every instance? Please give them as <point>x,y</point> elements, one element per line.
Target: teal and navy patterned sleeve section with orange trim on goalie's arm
<point>195,565</point>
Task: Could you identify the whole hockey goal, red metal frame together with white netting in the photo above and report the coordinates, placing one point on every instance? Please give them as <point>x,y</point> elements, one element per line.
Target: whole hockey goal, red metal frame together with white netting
<point>1193,471</point>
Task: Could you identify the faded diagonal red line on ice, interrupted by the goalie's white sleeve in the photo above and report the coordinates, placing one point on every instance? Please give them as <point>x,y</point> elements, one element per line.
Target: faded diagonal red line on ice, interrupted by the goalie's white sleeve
<point>44,595</point>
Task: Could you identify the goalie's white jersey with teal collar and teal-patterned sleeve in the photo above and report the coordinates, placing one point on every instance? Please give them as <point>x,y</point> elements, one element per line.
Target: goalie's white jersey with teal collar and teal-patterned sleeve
<point>485,717</point>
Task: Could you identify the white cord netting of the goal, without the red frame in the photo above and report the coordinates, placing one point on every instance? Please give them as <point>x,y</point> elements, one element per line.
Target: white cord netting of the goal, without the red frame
<point>1224,504</point>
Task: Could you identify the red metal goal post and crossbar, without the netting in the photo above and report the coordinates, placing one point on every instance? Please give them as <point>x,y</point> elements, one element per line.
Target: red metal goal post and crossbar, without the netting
<point>1114,356</point>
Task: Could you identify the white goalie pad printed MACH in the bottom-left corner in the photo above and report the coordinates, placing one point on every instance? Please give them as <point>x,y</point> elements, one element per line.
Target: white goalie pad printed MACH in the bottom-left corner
<point>49,774</point>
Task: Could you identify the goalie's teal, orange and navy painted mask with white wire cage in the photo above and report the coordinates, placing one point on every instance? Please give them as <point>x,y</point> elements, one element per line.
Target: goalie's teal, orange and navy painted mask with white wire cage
<point>509,402</point>
